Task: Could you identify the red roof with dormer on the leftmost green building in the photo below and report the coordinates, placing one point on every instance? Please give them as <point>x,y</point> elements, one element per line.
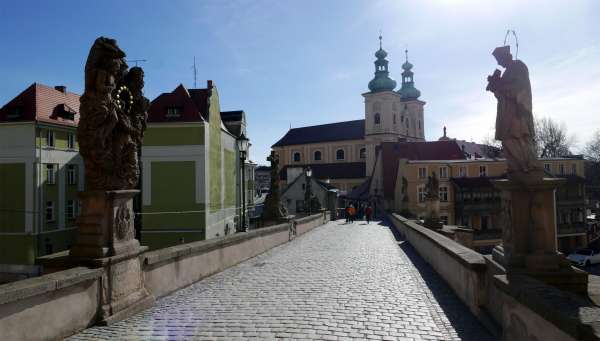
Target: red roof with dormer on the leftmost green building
<point>42,103</point>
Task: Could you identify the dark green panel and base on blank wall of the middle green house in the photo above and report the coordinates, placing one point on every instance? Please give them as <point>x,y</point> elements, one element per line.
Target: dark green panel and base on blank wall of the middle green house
<point>173,190</point>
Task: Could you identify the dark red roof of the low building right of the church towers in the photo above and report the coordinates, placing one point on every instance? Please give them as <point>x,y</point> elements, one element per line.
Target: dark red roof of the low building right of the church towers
<point>392,152</point>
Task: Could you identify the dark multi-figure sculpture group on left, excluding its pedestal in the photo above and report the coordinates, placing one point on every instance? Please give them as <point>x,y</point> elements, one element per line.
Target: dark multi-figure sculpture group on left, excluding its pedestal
<point>113,118</point>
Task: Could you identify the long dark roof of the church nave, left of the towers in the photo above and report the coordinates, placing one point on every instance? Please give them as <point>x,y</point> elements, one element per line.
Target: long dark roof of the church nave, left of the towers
<point>348,130</point>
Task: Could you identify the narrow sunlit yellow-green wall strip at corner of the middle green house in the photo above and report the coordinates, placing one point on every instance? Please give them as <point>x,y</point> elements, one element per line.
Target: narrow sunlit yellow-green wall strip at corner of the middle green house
<point>214,150</point>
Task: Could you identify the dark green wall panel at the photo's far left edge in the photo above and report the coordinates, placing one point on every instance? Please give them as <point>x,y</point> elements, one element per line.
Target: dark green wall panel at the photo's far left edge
<point>12,197</point>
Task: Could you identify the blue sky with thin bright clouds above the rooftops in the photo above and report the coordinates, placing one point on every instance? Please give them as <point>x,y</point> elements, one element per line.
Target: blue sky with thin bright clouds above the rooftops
<point>307,62</point>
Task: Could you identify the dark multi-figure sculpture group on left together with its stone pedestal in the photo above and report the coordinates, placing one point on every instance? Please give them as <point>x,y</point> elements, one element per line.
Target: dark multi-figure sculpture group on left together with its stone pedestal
<point>111,128</point>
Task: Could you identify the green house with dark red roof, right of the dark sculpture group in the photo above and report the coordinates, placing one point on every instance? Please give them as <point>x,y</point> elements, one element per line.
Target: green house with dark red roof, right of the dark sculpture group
<point>191,170</point>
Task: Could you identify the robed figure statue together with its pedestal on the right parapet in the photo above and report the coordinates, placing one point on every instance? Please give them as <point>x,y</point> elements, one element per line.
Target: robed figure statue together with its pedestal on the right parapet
<point>528,200</point>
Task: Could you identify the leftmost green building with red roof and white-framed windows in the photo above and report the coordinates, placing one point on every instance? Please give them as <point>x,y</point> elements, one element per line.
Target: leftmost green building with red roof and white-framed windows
<point>40,175</point>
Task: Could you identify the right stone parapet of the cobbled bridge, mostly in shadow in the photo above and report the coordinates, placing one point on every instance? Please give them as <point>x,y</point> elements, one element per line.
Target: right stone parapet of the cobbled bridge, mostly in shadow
<point>522,309</point>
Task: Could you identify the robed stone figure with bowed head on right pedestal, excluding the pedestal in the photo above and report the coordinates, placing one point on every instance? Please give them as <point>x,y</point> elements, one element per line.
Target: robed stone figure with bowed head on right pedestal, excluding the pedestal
<point>514,119</point>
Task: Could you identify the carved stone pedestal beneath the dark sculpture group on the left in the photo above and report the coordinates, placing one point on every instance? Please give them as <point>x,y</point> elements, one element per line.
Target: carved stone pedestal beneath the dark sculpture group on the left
<point>106,239</point>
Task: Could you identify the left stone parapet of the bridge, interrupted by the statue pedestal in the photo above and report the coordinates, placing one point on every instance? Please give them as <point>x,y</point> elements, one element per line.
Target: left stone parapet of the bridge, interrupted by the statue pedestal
<point>62,303</point>
